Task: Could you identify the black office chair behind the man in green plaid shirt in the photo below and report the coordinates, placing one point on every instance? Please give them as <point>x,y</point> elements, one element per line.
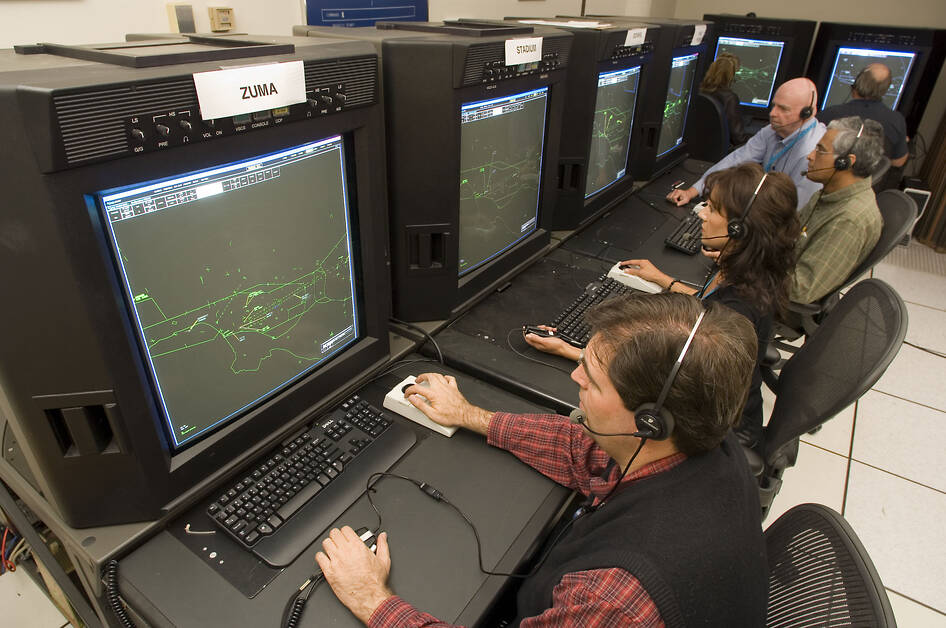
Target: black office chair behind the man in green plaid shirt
<point>899,214</point>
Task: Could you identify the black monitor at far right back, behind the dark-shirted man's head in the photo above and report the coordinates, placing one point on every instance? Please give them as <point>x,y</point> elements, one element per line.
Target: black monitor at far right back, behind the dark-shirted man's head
<point>914,55</point>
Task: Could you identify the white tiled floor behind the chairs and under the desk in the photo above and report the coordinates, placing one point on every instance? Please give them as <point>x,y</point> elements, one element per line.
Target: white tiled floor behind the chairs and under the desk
<point>879,463</point>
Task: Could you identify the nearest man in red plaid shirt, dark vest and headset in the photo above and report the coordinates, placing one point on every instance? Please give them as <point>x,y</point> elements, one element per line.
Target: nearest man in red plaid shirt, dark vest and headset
<point>673,534</point>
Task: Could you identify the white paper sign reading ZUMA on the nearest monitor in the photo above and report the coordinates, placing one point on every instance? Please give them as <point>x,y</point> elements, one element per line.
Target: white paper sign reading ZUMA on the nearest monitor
<point>231,92</point>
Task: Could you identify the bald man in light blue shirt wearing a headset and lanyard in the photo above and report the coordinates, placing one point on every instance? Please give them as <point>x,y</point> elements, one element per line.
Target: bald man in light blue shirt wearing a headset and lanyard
<point>781,146</point>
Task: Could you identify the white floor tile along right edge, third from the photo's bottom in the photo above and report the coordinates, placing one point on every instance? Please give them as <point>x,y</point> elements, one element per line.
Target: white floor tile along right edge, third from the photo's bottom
<point>901,437</point>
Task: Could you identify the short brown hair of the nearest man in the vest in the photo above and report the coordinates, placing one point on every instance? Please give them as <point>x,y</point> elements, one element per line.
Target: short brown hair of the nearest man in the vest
<point>640,337</point>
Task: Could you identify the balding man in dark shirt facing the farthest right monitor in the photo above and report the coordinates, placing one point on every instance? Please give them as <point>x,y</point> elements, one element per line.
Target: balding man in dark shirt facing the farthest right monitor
<point>867,94</point>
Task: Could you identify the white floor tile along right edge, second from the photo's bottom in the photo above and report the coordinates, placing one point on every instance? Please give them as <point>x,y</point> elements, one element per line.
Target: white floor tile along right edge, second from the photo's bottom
<point>900,524</point>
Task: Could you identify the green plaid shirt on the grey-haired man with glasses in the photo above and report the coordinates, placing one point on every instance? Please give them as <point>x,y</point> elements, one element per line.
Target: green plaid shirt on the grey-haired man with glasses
<point>840,229</point>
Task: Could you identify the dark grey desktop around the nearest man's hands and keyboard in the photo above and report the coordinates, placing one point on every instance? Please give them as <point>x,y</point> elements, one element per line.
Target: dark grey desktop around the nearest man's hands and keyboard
<point>433,550</point>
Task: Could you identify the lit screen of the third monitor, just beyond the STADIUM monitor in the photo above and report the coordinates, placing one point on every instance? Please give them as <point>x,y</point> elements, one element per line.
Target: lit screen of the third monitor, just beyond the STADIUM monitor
<point>611,133</point>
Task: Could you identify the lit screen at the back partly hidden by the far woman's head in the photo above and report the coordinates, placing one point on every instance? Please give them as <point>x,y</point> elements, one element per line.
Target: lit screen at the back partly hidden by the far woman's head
<point>758,66</point>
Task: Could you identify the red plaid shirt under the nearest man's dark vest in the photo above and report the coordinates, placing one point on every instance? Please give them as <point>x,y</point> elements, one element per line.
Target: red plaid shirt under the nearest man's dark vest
<point>596,598</point>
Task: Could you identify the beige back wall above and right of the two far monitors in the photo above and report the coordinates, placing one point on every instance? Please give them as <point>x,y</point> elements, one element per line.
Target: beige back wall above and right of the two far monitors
<point>916,13</point>
